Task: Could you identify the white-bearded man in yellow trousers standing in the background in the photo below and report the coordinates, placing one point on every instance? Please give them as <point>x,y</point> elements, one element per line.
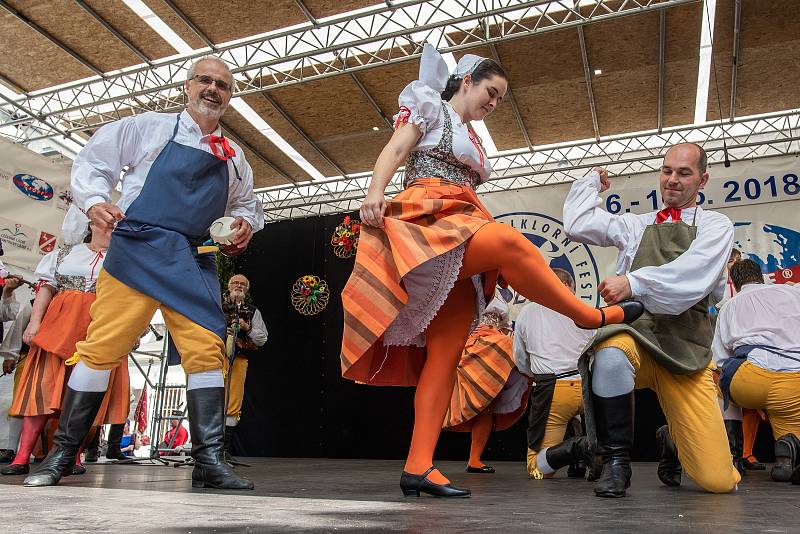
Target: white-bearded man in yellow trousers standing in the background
<point>242,343</point>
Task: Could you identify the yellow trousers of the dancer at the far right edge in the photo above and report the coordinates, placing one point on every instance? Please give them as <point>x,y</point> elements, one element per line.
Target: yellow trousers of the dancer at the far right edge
<point>776,393</point>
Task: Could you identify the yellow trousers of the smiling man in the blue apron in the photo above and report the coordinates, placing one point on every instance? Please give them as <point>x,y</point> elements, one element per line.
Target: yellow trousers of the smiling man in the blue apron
<point>119,316</point>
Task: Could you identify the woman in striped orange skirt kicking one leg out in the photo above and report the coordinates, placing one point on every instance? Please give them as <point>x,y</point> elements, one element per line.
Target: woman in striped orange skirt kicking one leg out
<point>412,297</point>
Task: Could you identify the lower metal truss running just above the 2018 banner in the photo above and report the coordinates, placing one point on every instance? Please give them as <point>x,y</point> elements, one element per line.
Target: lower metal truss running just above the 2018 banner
<point>746,138</point>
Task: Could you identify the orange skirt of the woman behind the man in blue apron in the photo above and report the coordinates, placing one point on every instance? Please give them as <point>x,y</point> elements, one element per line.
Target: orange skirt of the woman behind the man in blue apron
<point>44,376</point>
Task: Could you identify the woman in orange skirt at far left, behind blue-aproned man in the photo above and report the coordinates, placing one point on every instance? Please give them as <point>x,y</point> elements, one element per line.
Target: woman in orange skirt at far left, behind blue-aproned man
<point>59,319</point>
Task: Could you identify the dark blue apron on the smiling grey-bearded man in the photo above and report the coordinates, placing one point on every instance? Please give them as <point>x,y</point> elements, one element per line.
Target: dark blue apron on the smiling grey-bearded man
<point>154,249</point>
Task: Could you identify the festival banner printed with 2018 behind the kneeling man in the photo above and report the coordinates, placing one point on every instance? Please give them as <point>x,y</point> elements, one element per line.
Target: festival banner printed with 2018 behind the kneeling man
<point>761,197</point>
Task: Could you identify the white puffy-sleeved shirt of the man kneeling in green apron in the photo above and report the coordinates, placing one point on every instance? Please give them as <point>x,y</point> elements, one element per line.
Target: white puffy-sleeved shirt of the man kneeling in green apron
<point>671,288</point>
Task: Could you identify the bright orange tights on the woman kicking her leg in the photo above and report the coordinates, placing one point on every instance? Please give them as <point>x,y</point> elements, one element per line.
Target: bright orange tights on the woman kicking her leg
<point>494,247</point>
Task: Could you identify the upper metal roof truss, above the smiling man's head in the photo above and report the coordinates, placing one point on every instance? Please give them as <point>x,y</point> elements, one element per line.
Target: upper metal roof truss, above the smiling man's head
<point>385,34</point>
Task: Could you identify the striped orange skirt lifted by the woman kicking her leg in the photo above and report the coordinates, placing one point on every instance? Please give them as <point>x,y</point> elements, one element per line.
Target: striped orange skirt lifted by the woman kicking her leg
<point>429,219</point>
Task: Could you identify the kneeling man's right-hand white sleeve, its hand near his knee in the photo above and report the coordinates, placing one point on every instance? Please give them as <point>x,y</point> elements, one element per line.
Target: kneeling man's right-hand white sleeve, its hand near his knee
<point>676,286</point>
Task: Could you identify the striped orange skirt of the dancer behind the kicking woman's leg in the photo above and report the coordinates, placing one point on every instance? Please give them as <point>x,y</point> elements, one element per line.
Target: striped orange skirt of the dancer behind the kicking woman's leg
<point>486,378</point>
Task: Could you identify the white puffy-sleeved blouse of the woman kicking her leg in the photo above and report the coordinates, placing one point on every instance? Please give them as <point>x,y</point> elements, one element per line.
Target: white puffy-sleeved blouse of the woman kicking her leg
<point>423,106</point>
